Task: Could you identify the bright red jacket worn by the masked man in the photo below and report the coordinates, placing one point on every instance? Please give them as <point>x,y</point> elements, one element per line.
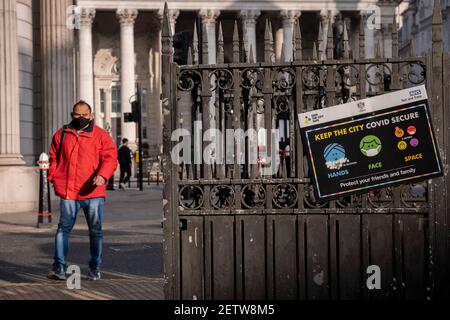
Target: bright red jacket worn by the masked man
<point>84,155</point>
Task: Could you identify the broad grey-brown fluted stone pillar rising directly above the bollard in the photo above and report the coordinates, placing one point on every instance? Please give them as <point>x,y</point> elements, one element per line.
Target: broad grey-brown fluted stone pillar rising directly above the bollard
<point>56,67</point>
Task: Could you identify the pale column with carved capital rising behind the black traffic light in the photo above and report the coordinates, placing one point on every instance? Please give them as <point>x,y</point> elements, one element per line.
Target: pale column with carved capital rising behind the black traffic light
<point>127,18</point>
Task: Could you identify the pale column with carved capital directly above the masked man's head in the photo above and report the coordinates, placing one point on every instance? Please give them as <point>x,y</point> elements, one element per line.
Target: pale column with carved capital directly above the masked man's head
<point>86,70</point>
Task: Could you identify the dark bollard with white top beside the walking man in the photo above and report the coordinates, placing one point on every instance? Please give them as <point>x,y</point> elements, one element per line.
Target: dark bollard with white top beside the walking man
<point>45,210</point>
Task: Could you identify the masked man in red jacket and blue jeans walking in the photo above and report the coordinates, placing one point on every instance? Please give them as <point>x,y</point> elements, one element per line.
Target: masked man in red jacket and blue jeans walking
<point>82,158</point>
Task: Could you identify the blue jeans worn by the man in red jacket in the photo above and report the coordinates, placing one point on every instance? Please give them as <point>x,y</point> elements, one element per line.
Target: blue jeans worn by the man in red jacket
<point>93,211</point>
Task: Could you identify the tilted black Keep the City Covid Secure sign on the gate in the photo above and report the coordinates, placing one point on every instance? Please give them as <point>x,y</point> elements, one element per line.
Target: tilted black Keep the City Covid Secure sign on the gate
<point>371,143</point>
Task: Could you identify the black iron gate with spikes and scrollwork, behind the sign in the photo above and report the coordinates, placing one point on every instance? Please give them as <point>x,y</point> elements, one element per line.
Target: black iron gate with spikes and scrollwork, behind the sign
<point>232,231</point>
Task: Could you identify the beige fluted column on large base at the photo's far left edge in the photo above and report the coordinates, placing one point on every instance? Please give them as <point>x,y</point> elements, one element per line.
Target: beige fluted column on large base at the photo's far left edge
<point>9,86</point>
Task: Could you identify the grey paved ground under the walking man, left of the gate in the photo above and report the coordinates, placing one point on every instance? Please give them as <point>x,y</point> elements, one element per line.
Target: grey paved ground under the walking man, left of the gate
<point>132,266</point>
